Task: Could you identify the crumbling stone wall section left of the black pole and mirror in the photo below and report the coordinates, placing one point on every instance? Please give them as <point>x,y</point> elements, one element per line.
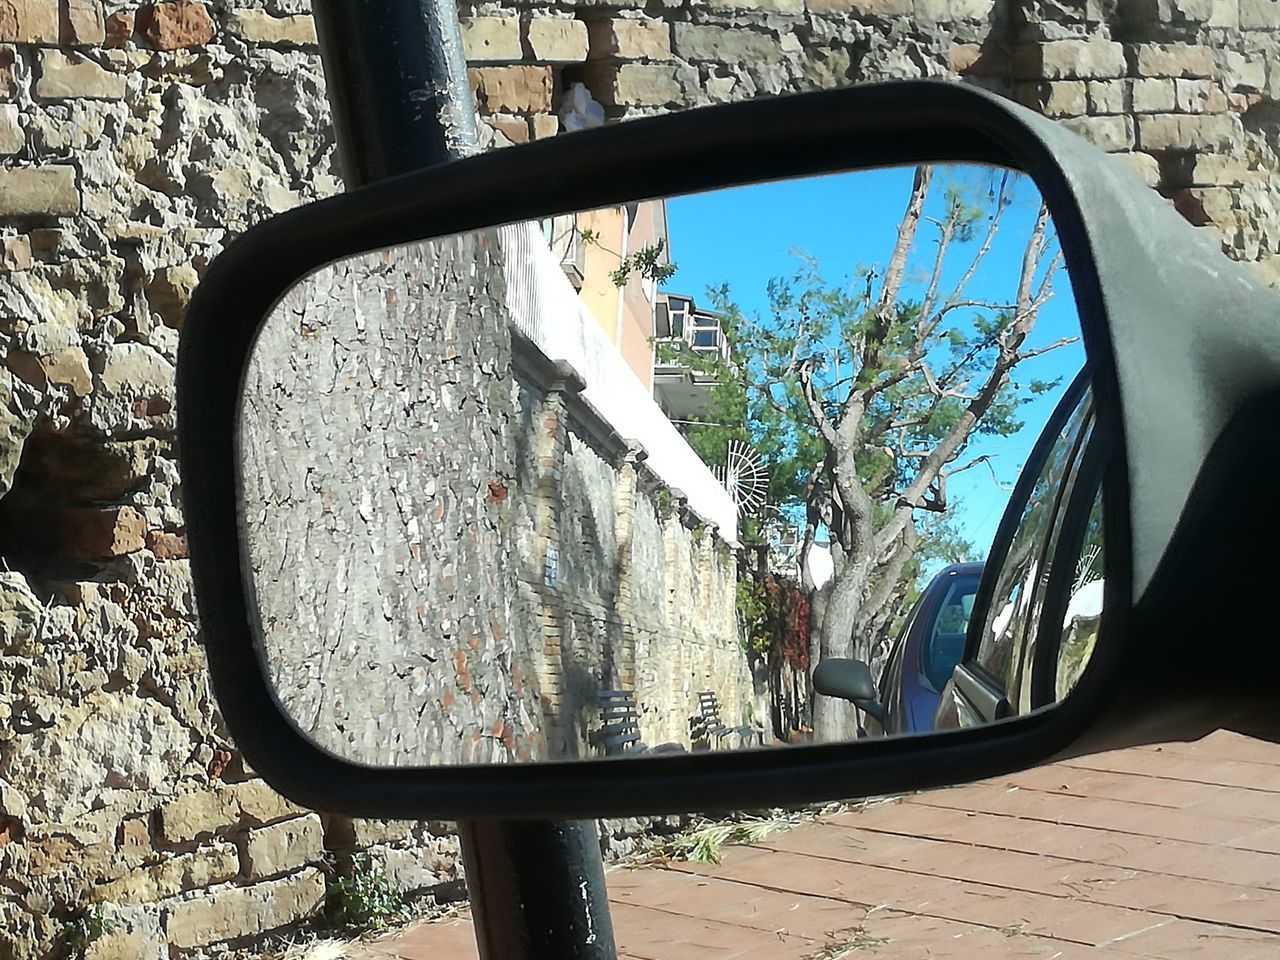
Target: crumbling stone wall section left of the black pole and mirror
<point>136,141</point>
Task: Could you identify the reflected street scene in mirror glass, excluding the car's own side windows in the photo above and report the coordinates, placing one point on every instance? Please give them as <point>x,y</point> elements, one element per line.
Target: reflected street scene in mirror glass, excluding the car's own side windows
<point>616,482</point>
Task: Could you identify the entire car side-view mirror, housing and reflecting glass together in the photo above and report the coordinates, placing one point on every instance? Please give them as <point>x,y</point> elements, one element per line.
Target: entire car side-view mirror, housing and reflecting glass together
<point>500,472</point>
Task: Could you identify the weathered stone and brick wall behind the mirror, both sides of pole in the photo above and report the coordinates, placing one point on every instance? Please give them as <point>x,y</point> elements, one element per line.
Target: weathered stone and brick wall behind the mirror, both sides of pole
<point>138,139</point>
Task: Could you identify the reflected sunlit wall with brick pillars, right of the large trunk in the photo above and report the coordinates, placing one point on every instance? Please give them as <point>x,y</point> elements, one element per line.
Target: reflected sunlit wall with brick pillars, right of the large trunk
<point>634,597</point>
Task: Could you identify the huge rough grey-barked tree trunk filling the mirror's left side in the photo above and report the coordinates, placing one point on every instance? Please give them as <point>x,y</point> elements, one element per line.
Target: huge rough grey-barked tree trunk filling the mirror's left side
<point>377,455</point>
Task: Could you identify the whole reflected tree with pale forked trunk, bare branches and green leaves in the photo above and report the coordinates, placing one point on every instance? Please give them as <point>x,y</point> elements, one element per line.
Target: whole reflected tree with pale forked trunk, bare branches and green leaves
<point>866,395</point>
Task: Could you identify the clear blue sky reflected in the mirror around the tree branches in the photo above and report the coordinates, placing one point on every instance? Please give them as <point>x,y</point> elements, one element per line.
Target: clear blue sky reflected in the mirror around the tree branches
<point>747,236</point>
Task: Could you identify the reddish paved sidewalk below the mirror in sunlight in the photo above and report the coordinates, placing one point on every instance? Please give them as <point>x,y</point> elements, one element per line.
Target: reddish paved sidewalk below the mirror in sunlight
<point>1171,853</point>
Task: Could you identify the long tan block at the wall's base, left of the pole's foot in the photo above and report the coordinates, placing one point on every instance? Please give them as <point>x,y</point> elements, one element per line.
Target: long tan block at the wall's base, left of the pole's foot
<point>227,913</point>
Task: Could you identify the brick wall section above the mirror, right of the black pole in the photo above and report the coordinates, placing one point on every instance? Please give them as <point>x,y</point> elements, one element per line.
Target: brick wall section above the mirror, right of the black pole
<point>1185,92</point>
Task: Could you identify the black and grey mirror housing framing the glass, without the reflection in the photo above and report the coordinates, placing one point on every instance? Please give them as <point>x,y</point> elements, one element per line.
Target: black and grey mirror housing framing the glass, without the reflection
<point>1142,313</point>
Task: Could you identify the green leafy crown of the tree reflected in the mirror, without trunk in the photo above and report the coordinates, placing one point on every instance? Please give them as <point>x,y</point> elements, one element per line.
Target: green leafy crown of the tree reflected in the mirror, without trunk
<point>912,369</point>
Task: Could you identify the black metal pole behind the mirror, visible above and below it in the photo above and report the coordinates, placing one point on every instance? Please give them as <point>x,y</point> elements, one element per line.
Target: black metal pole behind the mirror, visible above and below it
<point>399,90</point>
